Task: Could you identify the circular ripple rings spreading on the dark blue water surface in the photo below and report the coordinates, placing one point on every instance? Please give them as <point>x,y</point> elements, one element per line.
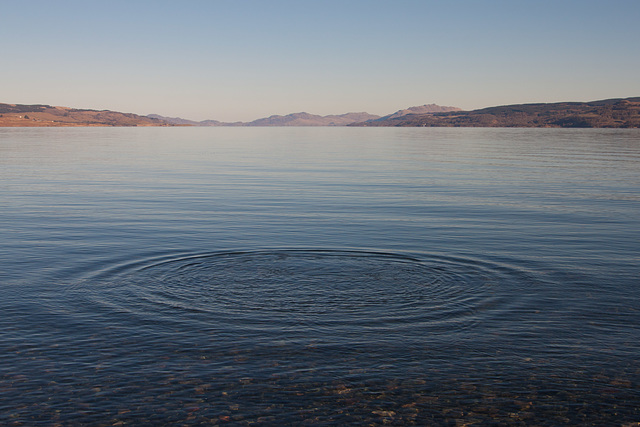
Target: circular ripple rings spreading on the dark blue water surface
<point>348,294</point>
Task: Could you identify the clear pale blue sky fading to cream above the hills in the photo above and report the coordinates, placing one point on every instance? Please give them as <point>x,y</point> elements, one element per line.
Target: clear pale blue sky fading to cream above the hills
<point>244,59</point>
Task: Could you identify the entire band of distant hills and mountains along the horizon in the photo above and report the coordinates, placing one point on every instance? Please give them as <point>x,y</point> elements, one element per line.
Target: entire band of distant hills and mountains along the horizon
<point>609,113</point>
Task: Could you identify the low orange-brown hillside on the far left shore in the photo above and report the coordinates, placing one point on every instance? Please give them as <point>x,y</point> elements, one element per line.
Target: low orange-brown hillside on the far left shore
<point>16,115</point>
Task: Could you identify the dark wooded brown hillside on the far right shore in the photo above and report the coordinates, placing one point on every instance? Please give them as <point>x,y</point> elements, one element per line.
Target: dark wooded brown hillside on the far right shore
<point>610,113</point>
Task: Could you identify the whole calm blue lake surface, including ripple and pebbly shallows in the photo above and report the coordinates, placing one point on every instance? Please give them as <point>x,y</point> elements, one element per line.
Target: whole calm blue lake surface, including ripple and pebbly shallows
<point>319,275</point>
